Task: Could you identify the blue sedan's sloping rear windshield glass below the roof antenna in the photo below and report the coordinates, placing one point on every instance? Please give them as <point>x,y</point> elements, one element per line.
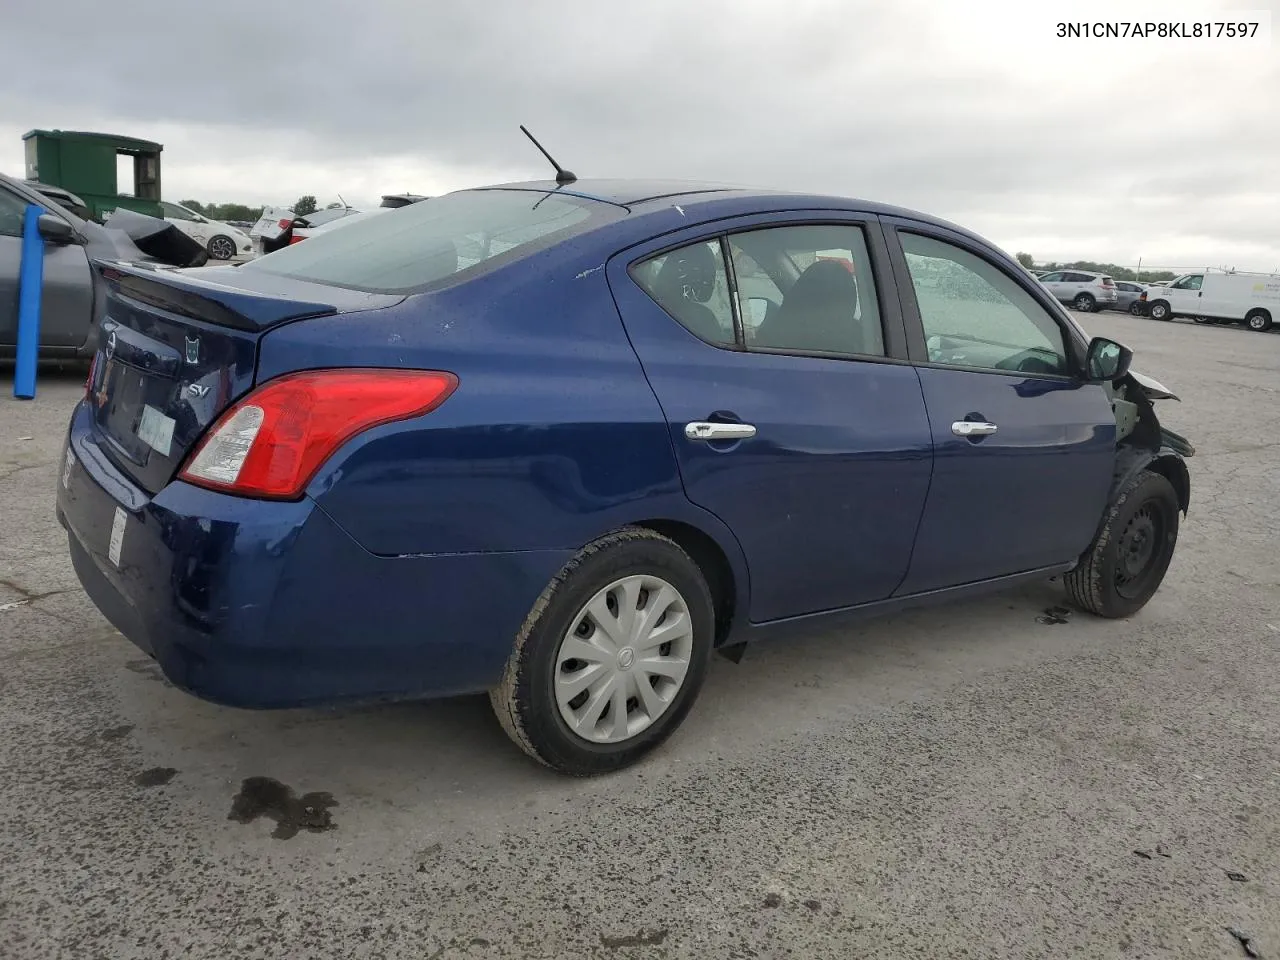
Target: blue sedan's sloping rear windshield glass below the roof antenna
<point>435,241</point>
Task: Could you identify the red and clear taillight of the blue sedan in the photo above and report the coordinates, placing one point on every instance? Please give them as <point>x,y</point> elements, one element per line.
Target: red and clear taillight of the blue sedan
<point>273,442</point>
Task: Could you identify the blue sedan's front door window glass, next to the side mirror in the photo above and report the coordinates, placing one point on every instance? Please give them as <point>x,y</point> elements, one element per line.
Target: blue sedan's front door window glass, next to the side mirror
<point>976,316</point>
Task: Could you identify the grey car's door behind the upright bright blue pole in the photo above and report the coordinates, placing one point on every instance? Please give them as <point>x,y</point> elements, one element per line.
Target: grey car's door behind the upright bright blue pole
<point>67,301</point>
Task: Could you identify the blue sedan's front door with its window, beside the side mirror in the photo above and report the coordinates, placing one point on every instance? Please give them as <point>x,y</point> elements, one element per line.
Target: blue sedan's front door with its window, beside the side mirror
<point>1023,446</point>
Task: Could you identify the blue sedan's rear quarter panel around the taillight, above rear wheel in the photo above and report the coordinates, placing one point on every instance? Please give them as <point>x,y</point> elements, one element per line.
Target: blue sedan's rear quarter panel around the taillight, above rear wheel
<point>552,438</point>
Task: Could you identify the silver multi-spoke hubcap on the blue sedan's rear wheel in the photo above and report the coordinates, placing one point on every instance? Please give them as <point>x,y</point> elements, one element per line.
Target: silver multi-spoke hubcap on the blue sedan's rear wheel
<point>624,661</point>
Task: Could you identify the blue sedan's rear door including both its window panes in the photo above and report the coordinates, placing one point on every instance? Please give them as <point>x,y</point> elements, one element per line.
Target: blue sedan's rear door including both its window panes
<point>804,431</point>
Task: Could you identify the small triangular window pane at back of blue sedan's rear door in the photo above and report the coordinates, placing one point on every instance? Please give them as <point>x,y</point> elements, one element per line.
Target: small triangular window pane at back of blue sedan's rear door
<point>692,285</point>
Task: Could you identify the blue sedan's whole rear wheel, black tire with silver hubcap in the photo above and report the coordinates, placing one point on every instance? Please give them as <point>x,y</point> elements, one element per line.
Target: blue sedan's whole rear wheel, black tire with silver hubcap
<point>604,574</point>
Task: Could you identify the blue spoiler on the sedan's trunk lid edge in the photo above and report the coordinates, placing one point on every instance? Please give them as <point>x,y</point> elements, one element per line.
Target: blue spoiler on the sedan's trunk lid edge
<point>180,292</point>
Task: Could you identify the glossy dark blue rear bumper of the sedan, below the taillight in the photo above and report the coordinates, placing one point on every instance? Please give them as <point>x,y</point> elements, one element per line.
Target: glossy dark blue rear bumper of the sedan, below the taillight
<point>263,605</point>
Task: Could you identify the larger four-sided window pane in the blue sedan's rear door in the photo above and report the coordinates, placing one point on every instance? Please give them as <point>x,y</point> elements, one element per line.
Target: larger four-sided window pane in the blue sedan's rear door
<point>808,289</point>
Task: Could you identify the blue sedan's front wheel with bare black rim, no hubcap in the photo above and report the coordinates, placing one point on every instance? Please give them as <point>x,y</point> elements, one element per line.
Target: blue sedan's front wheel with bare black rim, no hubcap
<point>1107,582</point>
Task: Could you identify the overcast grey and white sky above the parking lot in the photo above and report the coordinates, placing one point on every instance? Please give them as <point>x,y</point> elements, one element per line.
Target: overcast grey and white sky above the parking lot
<point>1068,149</point>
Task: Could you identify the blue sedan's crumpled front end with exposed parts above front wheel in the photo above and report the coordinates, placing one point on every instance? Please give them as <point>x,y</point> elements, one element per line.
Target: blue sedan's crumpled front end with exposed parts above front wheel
<point>1142,444</point>
